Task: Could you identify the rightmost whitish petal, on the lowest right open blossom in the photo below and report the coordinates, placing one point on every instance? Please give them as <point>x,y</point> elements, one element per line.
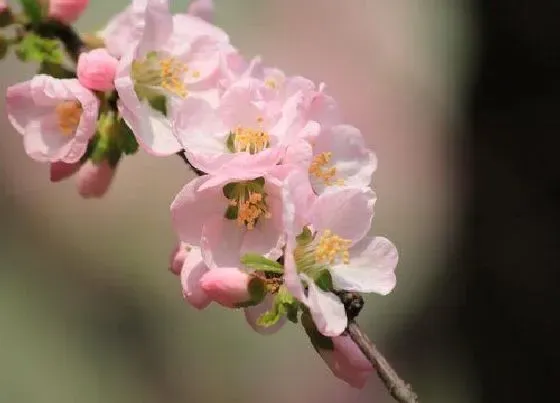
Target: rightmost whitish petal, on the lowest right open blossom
<point>371,268</point>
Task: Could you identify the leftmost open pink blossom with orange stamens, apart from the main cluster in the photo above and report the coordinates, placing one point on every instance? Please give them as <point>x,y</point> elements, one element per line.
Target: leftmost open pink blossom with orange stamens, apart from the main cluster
<point>56,117</point>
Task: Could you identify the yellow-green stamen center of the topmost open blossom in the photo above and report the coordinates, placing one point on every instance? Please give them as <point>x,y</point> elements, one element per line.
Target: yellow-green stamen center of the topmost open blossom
<point>161,71</point>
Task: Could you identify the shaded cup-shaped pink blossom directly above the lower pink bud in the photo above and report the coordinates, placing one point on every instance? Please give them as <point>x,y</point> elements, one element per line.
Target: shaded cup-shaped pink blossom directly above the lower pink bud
<point>235,215</point>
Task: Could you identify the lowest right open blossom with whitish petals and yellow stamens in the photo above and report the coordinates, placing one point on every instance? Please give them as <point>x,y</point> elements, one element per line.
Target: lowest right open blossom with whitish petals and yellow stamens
<point>335,247</point>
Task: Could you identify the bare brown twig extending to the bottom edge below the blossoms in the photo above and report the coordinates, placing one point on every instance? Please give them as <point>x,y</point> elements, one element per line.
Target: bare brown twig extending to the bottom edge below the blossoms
<point>399,389</point>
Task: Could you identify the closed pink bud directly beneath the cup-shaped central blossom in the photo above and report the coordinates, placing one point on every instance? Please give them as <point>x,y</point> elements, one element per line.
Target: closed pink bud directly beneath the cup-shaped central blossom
<point>226,286</point>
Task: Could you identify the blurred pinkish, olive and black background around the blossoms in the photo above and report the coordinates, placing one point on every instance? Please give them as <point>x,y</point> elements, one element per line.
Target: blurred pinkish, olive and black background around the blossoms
<point>458,98</point>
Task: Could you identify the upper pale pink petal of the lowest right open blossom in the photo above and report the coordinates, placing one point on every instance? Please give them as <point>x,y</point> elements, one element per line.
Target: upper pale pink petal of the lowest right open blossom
<point>346,212</point>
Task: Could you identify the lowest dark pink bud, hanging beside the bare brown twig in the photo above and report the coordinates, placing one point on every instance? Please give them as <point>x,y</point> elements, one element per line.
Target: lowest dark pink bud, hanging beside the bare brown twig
<point>347,362</point>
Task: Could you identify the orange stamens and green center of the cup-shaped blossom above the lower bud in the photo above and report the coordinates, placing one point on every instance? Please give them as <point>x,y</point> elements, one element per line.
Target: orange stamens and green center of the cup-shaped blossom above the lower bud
<point>247,202</point>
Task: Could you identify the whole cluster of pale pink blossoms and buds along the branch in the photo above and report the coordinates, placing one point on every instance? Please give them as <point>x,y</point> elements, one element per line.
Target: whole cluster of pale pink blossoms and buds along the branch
<point>277,221</point>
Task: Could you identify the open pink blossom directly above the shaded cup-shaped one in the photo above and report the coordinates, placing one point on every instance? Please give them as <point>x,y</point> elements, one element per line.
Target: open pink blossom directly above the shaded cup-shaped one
<point>245,131</point>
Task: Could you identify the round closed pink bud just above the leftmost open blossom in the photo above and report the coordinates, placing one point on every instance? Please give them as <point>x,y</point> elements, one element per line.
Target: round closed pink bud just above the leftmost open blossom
<point>97,69</point>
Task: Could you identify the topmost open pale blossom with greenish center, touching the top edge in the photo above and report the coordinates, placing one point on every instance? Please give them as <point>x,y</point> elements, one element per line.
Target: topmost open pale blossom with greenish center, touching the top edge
<point>157,73</point>
